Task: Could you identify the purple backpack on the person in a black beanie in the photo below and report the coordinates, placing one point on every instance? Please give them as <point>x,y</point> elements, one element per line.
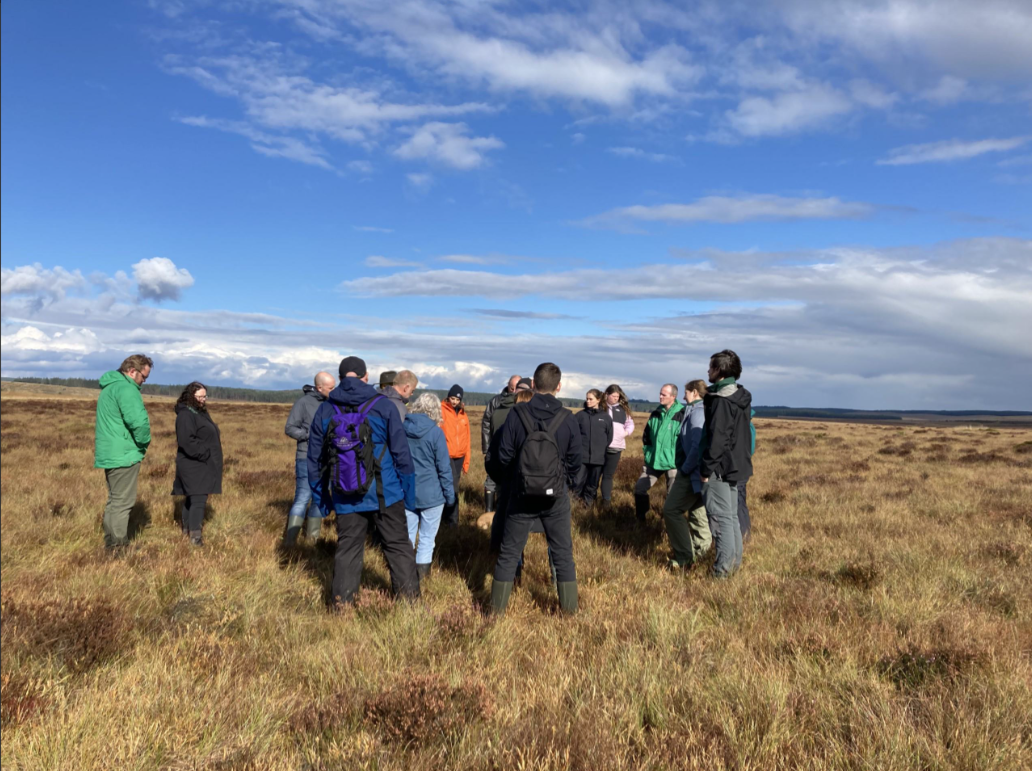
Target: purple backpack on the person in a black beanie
<point>349,449</point>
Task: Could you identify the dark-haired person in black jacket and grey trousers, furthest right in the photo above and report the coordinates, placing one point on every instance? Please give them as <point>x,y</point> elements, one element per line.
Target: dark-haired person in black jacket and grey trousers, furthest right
<point>726,461</point>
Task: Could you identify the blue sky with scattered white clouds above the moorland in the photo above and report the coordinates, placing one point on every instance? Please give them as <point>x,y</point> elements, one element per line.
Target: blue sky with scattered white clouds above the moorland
<point>841,191</point>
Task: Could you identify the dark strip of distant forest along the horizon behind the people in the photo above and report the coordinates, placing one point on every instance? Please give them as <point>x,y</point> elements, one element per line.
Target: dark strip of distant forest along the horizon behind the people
<point>475,399</point>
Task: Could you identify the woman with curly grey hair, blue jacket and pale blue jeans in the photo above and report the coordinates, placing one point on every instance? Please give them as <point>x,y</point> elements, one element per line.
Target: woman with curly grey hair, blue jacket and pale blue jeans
<point>434,481</point>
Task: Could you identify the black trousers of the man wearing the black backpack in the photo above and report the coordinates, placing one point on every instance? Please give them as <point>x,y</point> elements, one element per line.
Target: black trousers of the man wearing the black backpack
<point>556,522</point>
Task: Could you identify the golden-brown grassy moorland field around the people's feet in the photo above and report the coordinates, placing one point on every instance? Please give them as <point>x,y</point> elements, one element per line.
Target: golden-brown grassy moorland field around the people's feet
<point>883,620</point>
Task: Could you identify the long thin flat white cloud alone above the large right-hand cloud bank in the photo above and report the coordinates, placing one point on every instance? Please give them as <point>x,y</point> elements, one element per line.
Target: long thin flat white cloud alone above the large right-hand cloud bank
<point>731,210</point>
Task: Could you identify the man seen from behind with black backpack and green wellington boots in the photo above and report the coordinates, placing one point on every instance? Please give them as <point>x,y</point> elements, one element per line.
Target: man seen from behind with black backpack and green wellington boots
<point>540,448</point>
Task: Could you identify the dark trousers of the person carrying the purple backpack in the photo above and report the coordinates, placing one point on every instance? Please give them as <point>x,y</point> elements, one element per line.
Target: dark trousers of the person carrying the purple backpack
<point>394,530</point>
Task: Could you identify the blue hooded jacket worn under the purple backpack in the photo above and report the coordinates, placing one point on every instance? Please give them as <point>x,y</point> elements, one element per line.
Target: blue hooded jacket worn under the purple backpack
<point>397,470</point>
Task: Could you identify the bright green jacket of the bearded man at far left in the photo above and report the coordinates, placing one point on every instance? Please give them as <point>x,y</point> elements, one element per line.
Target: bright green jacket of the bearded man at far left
<point>123,429</point>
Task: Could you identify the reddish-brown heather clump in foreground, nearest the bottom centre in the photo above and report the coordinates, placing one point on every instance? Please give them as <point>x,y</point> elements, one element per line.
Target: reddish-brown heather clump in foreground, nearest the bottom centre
<point>420,708</point>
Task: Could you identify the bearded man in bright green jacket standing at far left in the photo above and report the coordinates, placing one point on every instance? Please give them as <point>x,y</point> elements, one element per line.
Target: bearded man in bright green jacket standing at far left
<point>123,434</point>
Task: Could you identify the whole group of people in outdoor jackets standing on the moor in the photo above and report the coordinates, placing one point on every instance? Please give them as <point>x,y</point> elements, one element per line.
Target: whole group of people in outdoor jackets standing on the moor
<point>378,459</point>
